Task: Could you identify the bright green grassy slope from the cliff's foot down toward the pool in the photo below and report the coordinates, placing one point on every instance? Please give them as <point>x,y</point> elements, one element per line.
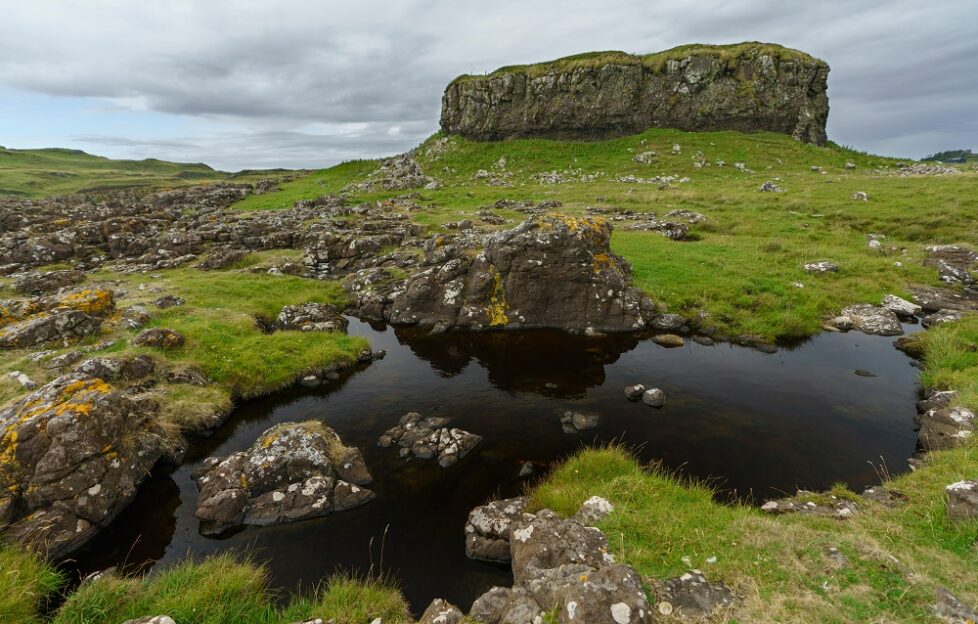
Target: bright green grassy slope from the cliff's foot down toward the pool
<point>743,267</point>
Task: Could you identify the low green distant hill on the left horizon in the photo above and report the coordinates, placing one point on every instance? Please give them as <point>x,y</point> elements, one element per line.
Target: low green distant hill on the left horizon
<point>54,171</point>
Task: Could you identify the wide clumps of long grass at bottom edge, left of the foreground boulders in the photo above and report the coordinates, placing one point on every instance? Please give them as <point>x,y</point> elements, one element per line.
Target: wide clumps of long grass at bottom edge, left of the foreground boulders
<point>225,590</point>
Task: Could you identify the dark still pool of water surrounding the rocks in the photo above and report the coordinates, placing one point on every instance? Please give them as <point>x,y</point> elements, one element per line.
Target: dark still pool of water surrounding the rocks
<point>756,424</point>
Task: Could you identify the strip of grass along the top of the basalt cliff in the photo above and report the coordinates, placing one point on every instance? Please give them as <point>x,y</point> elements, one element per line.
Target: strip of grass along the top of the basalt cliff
<point>655,61</point>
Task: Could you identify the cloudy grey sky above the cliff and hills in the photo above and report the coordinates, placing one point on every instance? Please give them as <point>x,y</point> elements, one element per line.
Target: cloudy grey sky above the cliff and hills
<point>309,83</point>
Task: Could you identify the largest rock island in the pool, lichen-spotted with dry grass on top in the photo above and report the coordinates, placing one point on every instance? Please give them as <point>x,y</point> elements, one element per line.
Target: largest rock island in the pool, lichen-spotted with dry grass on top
<point>288,474</point>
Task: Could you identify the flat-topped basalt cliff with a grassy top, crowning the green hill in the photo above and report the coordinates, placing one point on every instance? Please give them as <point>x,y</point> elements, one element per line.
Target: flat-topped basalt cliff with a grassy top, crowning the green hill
<point>747,87</point>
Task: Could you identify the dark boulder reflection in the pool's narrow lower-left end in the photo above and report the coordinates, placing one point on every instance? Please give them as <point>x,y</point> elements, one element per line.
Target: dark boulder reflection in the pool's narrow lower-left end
<point>140,534</point>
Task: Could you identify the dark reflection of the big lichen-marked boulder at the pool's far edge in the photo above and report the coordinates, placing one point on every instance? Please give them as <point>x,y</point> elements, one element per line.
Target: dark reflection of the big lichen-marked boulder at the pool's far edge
<point>548,362</point>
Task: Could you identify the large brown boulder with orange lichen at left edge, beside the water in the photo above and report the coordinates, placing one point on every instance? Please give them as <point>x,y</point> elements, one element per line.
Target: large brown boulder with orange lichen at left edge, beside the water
<point>71,457</point>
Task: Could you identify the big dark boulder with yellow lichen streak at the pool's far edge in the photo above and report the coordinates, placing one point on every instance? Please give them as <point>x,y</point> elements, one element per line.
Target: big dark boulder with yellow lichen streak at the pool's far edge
<point>553,271</point>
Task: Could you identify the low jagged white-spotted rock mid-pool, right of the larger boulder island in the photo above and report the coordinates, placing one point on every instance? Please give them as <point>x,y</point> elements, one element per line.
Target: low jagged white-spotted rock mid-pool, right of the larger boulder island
<point>428,438</point>
